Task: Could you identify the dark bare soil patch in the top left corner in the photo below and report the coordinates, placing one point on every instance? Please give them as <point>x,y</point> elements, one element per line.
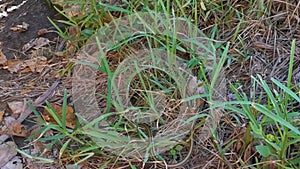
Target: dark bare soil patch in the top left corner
<point>35,13</point>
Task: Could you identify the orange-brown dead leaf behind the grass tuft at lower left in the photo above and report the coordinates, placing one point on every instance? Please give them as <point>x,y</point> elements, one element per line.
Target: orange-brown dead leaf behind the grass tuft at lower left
<point>71,119</point>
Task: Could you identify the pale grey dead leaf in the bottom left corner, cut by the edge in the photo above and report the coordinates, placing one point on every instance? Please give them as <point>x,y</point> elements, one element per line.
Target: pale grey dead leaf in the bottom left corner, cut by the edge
<point>7,152</point>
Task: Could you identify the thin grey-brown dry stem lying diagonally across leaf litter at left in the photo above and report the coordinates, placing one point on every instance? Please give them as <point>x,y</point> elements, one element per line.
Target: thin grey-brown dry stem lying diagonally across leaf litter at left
<point>27,111</point>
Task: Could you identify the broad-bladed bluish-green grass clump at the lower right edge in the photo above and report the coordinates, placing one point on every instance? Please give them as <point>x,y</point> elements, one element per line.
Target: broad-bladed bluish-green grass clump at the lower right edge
<point>273,124</point>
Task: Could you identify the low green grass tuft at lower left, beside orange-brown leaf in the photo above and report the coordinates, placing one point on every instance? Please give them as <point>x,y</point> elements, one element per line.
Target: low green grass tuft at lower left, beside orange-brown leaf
<point>71,146</point>
